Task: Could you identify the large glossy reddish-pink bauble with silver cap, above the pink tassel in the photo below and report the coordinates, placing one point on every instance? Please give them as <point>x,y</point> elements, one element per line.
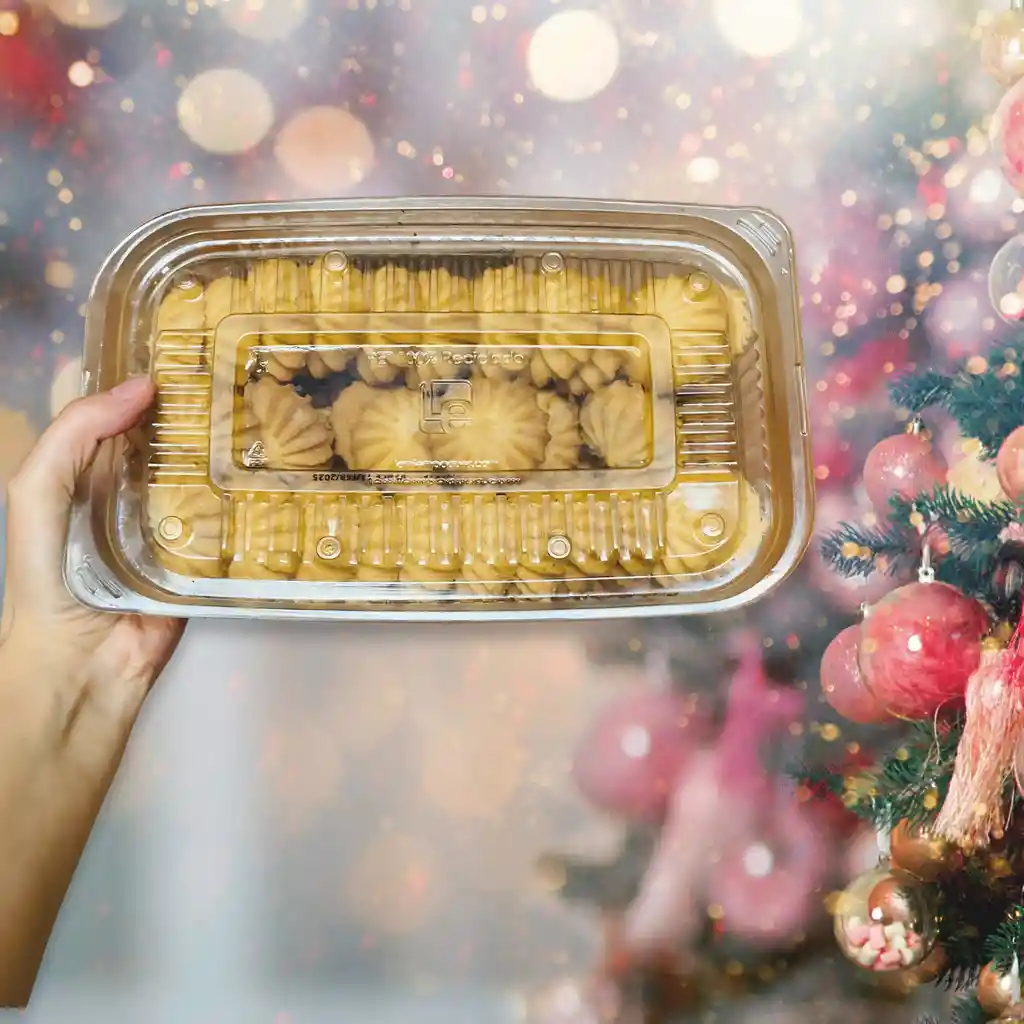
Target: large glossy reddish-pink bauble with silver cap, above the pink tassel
<point>920,646</point>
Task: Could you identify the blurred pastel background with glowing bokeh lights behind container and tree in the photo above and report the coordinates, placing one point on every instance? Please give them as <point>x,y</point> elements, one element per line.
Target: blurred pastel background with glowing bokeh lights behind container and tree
<point>328,824</point>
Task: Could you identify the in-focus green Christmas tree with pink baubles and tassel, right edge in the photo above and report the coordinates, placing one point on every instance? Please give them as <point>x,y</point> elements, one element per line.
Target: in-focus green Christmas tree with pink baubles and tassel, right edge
<point>946,654</point>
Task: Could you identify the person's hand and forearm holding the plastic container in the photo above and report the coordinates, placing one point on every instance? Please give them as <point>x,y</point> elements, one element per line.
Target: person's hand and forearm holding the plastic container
<point>72,684</point>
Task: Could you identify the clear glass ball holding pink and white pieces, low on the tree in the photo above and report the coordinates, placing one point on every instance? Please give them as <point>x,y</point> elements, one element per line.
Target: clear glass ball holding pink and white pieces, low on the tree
<point>886,921</point>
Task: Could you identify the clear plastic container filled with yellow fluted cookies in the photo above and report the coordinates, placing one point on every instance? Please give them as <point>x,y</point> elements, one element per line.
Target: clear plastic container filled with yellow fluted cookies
<point>437,408</point>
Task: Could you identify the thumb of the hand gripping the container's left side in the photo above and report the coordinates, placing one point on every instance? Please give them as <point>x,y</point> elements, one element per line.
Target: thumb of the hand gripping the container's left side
<point>39,497</point>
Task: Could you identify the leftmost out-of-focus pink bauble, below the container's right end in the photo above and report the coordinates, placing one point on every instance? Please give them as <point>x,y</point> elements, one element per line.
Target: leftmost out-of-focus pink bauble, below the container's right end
<point>629,762</point>
